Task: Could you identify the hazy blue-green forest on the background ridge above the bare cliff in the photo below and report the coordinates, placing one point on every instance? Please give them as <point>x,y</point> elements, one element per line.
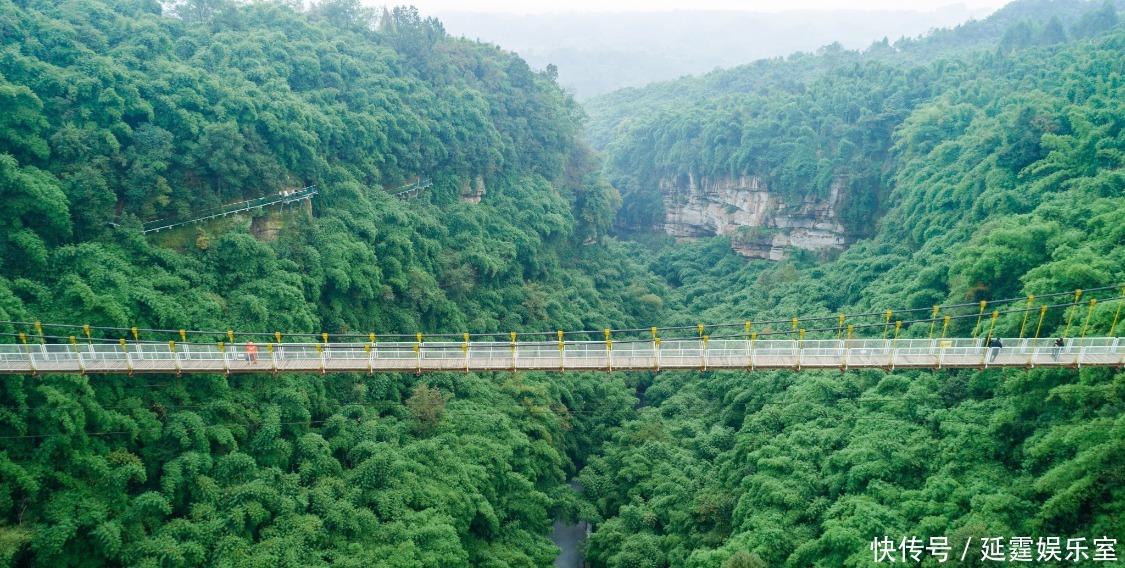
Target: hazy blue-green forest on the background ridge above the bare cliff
<point>813,121</point>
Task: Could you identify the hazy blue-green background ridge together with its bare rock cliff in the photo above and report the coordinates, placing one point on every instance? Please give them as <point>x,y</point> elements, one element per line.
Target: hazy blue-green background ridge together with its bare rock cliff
<point>823,129</point>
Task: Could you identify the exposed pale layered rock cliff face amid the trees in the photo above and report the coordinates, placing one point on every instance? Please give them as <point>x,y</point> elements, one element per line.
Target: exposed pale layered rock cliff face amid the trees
<point>760,223</point>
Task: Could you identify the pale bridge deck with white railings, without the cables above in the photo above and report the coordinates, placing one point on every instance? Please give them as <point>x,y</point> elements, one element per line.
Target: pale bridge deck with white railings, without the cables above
<point>129,357</point>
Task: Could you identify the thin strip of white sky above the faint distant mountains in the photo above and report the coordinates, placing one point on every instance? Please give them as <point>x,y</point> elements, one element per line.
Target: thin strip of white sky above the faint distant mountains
<point>429,7</point>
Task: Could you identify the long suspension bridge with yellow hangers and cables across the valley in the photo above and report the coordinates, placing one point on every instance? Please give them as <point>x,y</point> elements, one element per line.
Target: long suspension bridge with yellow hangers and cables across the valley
<point>726,347</point>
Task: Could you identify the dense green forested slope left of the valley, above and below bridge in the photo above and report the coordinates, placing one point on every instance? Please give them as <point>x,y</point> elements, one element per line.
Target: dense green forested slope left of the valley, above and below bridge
<point>113,113</point>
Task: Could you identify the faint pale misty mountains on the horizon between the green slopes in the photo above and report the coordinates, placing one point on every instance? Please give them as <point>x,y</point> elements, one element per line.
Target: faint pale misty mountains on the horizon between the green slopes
<point>597,53</point>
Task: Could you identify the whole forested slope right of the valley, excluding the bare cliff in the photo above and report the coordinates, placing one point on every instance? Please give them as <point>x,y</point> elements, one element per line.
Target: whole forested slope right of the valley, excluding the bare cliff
<point>996,175</point>
